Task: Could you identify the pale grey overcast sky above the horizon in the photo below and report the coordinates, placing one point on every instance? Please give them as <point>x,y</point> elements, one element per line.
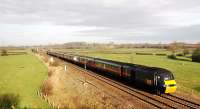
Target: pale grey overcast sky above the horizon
<point>30,22</point>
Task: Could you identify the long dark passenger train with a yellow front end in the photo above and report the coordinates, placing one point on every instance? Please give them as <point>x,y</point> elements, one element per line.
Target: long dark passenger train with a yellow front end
<point>161,80</point>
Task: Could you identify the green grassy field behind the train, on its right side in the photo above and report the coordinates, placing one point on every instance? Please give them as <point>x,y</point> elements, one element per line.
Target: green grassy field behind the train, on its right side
<point>187,73</point>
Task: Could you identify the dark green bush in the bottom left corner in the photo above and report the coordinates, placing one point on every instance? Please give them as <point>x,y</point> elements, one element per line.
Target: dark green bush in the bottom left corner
<point>9,101</point>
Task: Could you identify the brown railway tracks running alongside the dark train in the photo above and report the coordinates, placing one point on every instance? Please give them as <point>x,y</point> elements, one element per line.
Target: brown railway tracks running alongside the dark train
<point>165,101</point>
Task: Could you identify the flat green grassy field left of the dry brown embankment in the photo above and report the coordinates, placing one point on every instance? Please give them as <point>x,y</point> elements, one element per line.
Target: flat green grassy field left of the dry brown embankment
<point>23,75</point>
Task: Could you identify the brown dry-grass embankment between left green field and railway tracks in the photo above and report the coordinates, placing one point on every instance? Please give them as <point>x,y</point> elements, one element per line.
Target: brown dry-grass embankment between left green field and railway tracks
<point>66,92</point>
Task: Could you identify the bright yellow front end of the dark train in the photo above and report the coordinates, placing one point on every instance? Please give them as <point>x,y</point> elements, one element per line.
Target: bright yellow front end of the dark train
<point>170,86</point>
